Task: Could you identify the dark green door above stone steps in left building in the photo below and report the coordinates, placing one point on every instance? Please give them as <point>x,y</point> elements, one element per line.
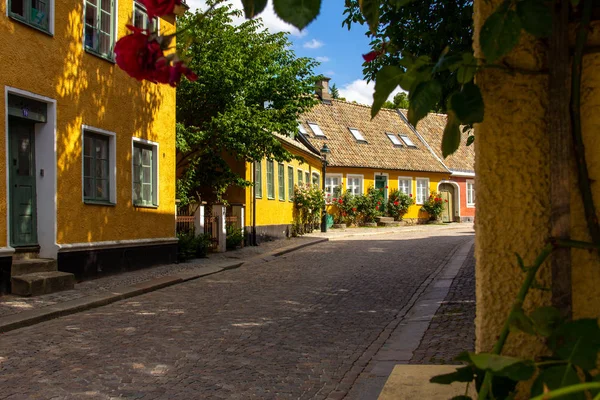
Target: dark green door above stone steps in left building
<point>23,224</point>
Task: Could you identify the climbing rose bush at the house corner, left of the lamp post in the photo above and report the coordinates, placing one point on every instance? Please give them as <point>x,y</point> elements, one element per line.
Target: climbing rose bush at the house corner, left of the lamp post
<point>308,206</point>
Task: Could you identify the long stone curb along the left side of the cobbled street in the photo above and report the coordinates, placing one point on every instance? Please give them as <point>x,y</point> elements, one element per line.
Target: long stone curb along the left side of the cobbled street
<point>33,317</point>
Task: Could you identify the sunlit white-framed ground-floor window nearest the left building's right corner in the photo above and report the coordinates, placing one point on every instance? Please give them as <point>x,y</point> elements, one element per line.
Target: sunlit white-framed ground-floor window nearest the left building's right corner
<point>145,173</point>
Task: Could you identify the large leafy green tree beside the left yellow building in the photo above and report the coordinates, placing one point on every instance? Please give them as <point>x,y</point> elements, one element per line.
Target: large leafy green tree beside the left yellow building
<point>249,85</point>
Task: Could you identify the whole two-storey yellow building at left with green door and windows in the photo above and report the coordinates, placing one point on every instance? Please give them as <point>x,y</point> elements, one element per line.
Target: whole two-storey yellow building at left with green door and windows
<point>89,152</point>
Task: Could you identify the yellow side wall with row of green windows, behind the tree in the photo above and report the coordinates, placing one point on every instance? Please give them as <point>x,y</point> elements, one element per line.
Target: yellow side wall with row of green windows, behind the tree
<point>278,208</point>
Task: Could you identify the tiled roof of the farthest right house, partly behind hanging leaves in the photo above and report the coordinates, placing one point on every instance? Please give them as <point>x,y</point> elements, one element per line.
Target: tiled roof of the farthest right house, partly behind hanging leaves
<point>431,128</point>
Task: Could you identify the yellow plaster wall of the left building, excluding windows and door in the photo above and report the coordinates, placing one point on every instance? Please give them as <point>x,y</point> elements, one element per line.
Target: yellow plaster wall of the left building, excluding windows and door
<point>92,91</point>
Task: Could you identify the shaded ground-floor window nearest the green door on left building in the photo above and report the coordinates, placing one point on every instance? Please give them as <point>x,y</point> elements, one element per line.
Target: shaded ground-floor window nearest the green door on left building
<point>96,179</point>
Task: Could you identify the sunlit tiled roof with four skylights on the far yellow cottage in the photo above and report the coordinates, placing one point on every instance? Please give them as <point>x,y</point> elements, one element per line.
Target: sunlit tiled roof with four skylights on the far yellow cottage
<point>378,151</point>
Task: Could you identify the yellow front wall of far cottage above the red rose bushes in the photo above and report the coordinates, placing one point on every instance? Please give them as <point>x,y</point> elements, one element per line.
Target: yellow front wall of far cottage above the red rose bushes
<point>368,174</point>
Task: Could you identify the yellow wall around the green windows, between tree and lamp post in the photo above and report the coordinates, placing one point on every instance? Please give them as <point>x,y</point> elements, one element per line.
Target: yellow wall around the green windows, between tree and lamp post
<point>274,211</point>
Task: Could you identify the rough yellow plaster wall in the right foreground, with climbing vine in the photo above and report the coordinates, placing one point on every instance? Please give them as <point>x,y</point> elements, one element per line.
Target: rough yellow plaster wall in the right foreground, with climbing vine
<point>513,186</point>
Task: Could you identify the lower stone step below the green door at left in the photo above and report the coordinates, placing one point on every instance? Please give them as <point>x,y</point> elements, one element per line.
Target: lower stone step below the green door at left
<point>39,283</point>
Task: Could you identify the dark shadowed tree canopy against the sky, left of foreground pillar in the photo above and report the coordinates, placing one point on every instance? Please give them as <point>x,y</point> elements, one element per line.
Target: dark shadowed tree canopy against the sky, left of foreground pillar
<point>420,28</point>
